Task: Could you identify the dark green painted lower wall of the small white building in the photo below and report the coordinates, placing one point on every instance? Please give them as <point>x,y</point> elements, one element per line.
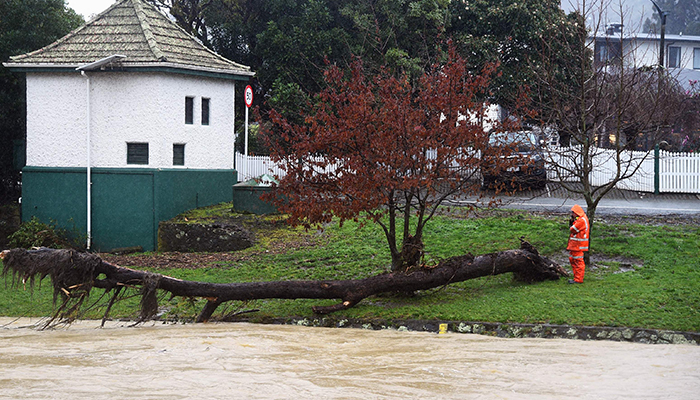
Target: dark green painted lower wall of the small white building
<point>127,204</point>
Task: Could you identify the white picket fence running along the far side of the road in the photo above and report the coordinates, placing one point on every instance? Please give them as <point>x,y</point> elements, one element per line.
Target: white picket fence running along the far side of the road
<point>678,172</point>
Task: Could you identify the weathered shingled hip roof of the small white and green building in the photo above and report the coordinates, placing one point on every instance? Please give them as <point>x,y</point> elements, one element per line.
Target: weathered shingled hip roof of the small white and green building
<point>137,30</point>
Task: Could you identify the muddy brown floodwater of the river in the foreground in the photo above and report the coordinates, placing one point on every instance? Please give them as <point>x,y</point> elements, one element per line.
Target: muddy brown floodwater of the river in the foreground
<point>247,361</point>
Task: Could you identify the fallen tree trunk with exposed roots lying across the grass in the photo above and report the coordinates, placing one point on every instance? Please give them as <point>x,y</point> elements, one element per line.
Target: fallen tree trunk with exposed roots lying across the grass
<point>74,275</point>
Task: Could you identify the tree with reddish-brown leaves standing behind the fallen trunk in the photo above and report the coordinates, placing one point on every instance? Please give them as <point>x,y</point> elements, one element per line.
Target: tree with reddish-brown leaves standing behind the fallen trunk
<point>383,148</point>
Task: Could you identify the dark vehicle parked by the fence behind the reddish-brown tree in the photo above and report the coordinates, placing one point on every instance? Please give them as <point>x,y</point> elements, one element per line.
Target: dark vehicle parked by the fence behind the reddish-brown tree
<point>522,168</point>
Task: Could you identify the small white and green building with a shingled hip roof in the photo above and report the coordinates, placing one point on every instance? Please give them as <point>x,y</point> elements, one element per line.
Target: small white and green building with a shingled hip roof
<point>140,109</point>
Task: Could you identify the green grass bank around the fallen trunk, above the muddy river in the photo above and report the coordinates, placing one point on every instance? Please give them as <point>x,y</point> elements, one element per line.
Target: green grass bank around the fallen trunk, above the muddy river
<point>660,288</point>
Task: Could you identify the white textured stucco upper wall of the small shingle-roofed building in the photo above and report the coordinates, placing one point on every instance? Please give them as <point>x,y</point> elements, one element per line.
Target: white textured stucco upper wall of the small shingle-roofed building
<point>127,107</point>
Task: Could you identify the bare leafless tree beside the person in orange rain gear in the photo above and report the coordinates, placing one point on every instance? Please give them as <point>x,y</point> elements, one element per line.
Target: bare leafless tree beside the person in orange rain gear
<point>592,91</point>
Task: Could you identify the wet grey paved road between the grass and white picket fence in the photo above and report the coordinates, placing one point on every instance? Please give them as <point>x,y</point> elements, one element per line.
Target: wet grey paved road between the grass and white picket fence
<point>617,202</point>
